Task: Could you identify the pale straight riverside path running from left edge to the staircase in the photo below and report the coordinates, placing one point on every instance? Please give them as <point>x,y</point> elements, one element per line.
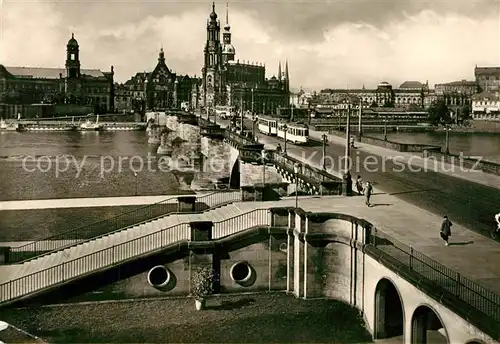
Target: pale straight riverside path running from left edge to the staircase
<point>85,202</point>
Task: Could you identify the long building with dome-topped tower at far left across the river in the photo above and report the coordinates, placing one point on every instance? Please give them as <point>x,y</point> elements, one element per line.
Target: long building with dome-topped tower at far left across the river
<point>22,87</point>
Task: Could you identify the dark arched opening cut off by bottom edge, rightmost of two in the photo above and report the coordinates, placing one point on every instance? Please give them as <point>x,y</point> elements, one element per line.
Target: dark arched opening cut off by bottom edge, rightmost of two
<point>427,327</point>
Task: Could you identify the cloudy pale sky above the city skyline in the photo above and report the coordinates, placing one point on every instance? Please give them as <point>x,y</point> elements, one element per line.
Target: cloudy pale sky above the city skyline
<point>328,44</point>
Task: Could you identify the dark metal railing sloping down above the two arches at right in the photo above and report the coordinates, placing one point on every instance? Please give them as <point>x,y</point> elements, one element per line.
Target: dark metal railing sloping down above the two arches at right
<point>475,295</point>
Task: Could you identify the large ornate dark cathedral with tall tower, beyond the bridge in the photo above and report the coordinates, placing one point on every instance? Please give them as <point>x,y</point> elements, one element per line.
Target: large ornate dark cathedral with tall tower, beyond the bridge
<point>226,81</point>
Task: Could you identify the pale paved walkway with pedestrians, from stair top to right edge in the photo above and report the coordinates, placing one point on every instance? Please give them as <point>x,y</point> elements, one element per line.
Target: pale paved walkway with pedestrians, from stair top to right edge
<point>469,253</point>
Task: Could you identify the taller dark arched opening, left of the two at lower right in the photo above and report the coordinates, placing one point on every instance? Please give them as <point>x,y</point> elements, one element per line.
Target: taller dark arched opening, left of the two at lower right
<point>389,315</point>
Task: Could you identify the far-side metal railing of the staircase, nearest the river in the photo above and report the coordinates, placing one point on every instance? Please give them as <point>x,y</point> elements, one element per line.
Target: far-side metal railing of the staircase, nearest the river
<point>92,231</point>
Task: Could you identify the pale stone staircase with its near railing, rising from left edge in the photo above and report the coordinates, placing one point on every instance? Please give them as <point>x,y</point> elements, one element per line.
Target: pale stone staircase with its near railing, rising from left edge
<point>65,265</point>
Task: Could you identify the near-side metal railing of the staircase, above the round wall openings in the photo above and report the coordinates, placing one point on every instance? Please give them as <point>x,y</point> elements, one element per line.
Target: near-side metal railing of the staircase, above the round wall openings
<point>110,256</point>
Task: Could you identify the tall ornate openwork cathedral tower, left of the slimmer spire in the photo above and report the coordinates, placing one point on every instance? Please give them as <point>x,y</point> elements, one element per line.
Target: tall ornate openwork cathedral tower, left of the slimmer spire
<point>212,85</point>
